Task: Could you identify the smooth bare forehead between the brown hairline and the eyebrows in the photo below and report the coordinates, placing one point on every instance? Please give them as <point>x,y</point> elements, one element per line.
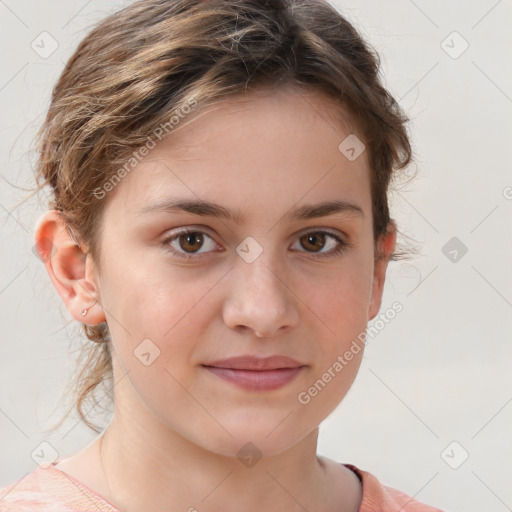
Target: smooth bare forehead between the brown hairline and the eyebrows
<point>273,146</point>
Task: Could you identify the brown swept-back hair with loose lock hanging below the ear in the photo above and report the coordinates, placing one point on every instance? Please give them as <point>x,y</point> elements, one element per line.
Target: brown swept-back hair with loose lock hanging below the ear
<point>153,58</point>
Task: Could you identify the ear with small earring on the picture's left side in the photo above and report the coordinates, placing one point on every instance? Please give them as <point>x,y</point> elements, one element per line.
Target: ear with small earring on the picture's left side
<point>71,271</point>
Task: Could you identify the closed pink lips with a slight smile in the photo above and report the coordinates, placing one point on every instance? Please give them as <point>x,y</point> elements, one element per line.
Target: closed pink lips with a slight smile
<point>257,374</point>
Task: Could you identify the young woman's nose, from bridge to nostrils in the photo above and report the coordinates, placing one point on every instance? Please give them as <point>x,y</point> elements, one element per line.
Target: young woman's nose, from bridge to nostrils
<point>261,301</point>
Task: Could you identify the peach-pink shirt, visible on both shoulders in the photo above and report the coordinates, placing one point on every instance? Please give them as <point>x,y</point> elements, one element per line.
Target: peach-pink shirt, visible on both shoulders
<point>52,490</point>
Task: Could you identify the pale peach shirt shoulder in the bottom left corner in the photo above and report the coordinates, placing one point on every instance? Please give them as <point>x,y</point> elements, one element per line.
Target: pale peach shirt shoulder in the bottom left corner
<point>50,490</point>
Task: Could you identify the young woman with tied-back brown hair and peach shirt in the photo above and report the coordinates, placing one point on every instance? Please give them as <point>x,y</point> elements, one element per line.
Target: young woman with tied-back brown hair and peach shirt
<point>220,226</point>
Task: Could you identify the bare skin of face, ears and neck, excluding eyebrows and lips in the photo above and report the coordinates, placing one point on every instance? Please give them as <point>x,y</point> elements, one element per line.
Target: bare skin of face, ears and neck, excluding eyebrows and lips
<point>176,428</point>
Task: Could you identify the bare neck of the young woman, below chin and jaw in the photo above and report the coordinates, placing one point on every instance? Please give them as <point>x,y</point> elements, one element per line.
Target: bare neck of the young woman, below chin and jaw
<point>162,471</point>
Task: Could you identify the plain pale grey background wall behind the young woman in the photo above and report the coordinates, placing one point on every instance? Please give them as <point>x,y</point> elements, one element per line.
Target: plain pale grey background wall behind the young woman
<point>440,371</point>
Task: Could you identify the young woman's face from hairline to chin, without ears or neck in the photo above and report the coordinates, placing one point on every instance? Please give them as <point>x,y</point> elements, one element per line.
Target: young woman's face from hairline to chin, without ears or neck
<point>266,280</point>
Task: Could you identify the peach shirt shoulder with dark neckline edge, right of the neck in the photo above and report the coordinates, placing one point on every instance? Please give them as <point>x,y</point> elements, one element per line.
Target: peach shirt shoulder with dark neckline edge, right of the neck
<point>381,498</point>
